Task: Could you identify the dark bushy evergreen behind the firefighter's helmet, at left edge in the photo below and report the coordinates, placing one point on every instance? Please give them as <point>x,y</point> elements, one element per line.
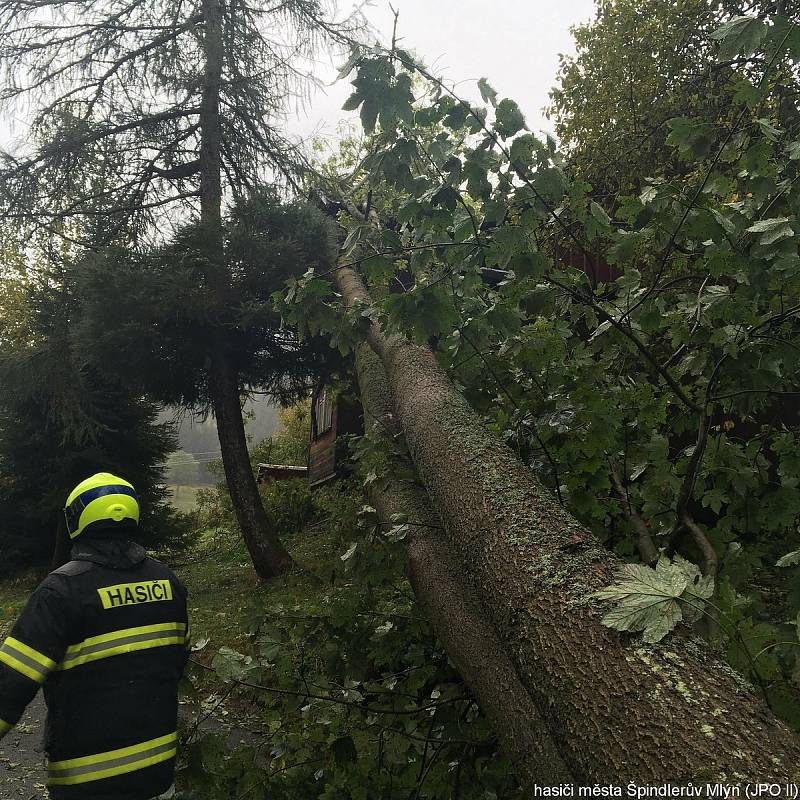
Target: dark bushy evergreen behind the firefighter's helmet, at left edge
<point>63,418</point>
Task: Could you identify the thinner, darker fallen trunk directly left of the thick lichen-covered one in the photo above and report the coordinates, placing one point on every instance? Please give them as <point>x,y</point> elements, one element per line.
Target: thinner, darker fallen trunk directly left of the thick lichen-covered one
<point>453,608</point>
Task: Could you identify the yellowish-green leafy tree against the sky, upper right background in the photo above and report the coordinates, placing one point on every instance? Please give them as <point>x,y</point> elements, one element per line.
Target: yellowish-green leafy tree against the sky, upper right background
<point>639,65</point>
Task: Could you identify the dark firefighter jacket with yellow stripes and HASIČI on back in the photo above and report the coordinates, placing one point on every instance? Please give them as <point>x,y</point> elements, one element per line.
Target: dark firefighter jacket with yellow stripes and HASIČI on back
<point>106,637</point>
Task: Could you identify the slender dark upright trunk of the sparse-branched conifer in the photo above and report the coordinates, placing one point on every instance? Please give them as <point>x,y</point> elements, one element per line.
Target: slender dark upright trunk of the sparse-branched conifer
<point>269,556</point>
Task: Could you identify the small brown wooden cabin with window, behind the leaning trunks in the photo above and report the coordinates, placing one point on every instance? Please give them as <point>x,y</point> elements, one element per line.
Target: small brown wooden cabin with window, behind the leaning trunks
<point>331,419</point>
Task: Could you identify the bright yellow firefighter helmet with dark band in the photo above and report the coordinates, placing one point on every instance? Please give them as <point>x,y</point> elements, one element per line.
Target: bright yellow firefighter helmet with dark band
<point>101,498</point>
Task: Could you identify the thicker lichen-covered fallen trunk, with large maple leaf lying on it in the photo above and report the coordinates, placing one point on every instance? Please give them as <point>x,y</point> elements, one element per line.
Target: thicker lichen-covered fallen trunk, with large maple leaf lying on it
<point>617,709</point>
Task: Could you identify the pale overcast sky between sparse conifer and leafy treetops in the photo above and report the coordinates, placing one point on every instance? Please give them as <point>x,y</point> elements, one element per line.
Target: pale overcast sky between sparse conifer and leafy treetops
<point>515,44</point>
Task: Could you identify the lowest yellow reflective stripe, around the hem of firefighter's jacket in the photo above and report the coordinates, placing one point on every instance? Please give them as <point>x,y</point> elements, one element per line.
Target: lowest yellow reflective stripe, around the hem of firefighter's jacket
<point>112,763</point>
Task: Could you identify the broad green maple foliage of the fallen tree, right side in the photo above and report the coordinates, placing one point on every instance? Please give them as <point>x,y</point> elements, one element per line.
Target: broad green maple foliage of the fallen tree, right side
<point>659,403</point>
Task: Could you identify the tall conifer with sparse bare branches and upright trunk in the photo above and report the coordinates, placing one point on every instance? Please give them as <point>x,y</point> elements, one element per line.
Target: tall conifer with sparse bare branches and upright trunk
<point>148,112</point>
